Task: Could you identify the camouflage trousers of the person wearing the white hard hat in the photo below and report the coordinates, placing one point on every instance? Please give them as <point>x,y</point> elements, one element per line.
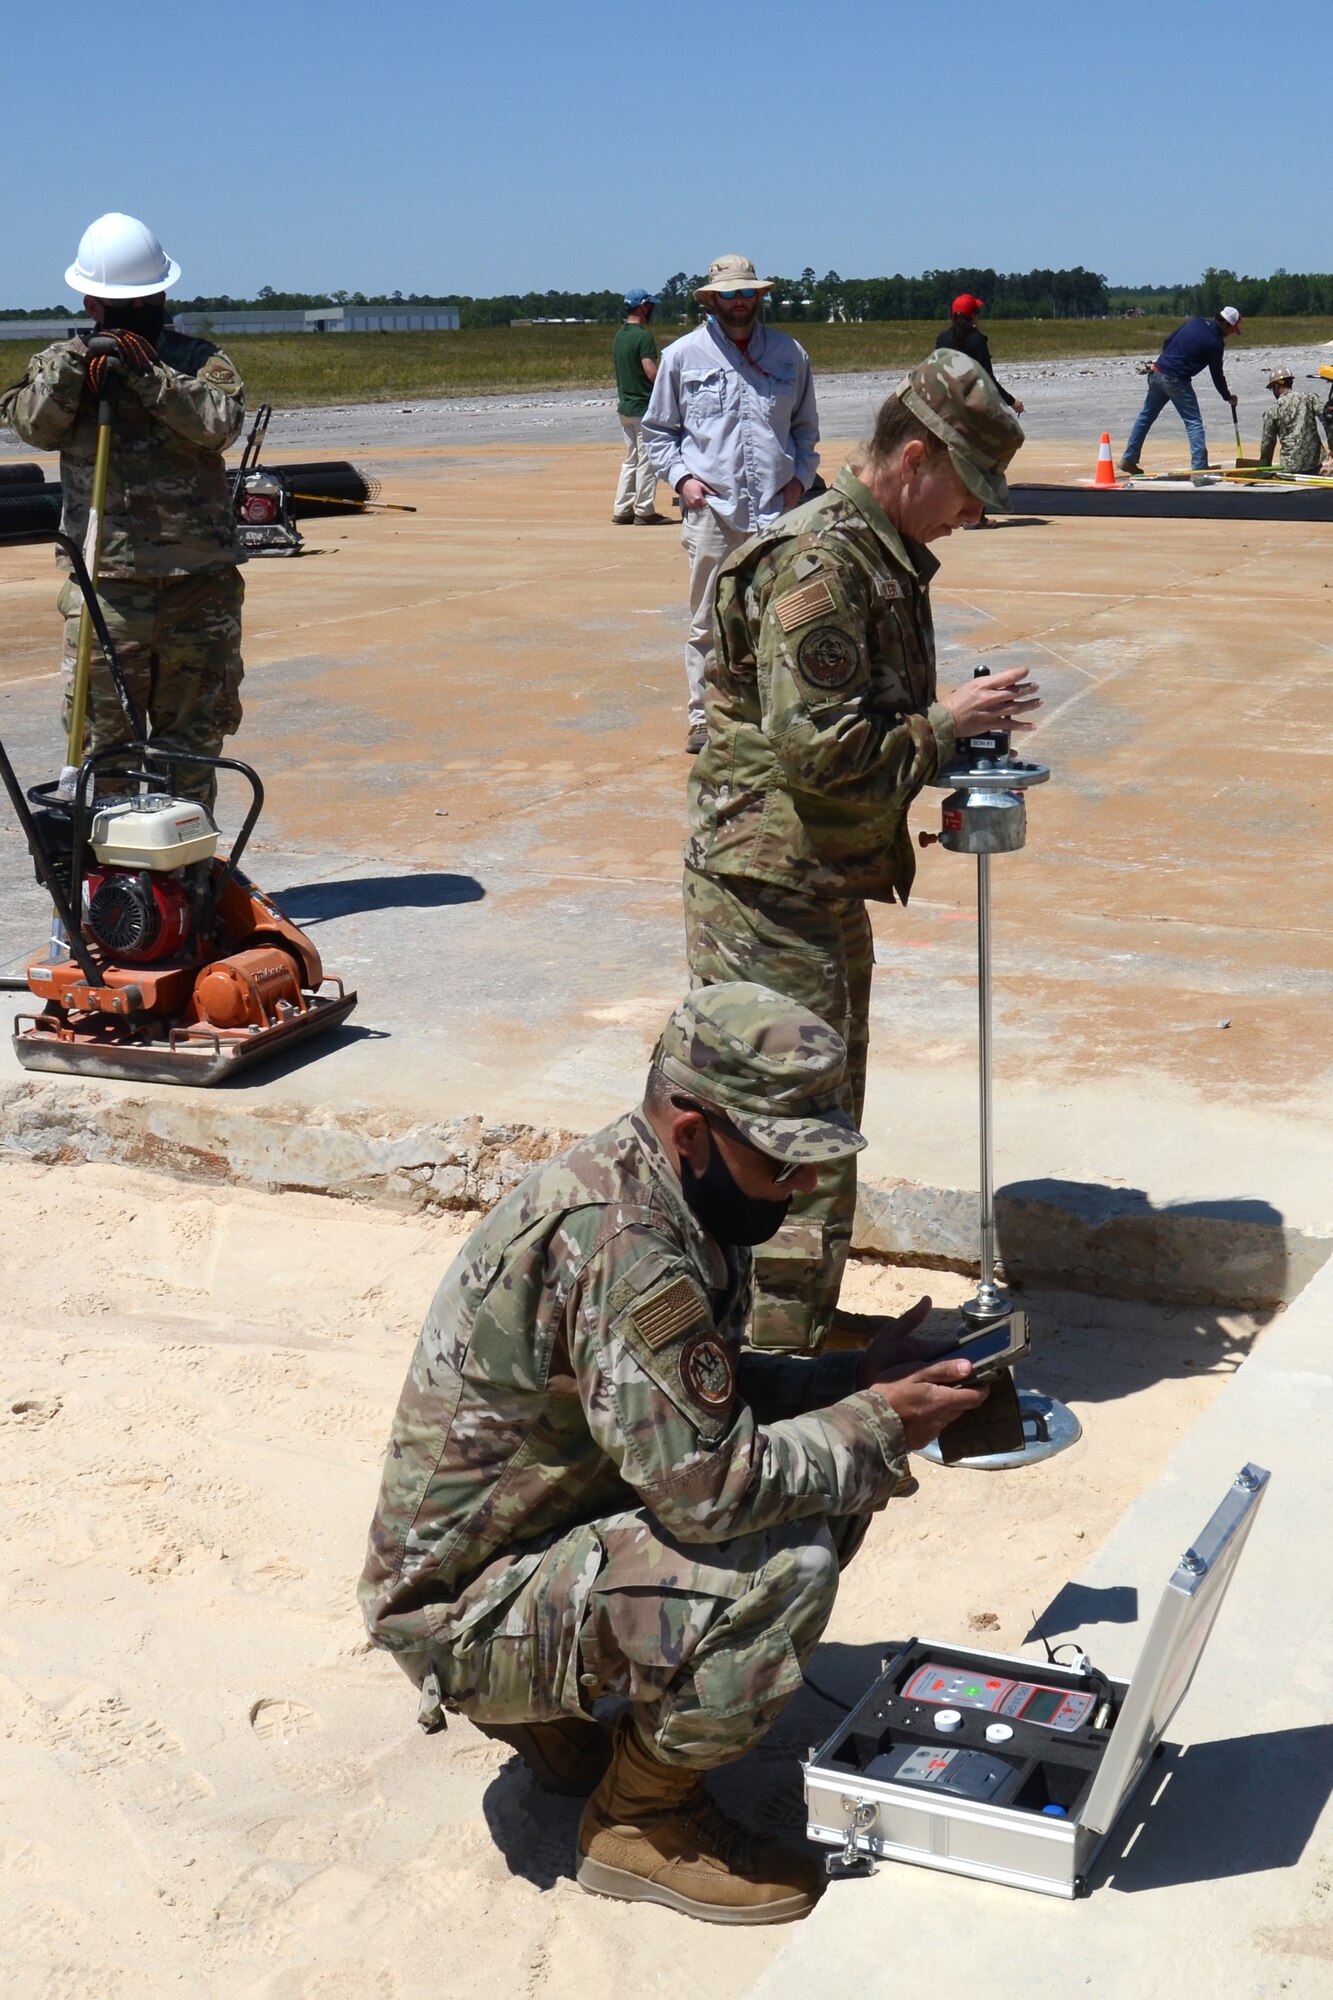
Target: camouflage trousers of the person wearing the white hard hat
<point>179,647</point>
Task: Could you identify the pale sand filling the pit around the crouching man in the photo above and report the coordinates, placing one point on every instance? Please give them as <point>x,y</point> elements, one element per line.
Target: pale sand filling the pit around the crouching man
<point>211,1785</point>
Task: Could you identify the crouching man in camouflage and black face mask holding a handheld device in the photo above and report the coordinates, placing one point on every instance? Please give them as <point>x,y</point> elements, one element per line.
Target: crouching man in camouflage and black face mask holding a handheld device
<point>609,1537</point>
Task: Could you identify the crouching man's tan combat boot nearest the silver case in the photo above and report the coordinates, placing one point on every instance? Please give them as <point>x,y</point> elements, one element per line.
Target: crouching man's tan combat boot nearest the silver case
<point>653,1835</point>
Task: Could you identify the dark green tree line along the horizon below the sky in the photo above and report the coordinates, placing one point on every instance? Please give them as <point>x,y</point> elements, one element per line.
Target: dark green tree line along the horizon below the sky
<point>1034,295</point>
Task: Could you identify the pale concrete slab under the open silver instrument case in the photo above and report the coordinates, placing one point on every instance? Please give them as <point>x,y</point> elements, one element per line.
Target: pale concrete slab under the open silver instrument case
<point>1218,1877</point>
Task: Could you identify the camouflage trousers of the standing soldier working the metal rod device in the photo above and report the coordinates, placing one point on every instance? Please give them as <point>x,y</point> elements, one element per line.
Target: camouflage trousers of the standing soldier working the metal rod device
<point>818,951</point>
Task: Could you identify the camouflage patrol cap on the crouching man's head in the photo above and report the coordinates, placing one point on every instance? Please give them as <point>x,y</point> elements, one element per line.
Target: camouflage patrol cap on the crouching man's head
<point>772,1067</point>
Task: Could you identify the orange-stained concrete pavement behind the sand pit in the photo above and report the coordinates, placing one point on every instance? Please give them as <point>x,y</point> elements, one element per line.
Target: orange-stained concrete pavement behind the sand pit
<point>469,723</point>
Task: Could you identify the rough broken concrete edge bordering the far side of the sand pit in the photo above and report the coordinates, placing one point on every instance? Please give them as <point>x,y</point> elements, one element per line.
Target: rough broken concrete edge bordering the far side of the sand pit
<point>1072,1235</point>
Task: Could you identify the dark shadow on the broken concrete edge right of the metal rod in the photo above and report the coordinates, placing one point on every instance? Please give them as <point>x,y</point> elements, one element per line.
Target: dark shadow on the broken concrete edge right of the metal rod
<point>1114,1241</point>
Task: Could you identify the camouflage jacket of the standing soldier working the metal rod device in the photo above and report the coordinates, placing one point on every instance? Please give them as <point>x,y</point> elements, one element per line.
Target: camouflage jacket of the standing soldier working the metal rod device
<point>822,705</point>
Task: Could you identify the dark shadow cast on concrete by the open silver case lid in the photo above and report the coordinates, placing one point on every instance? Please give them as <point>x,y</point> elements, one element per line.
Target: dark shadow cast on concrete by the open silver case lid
<point>1246,1805</point>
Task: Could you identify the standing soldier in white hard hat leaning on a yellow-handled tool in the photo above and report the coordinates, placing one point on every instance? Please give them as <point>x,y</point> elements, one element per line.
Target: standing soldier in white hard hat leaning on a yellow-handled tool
<point>169,579</point>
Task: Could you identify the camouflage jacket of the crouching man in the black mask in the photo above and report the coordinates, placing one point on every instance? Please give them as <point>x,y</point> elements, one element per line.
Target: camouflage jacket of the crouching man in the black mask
<point>583,1357</point>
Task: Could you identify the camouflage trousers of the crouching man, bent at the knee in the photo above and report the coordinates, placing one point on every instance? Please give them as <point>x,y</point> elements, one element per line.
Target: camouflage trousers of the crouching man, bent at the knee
<point>706,1641</point>
